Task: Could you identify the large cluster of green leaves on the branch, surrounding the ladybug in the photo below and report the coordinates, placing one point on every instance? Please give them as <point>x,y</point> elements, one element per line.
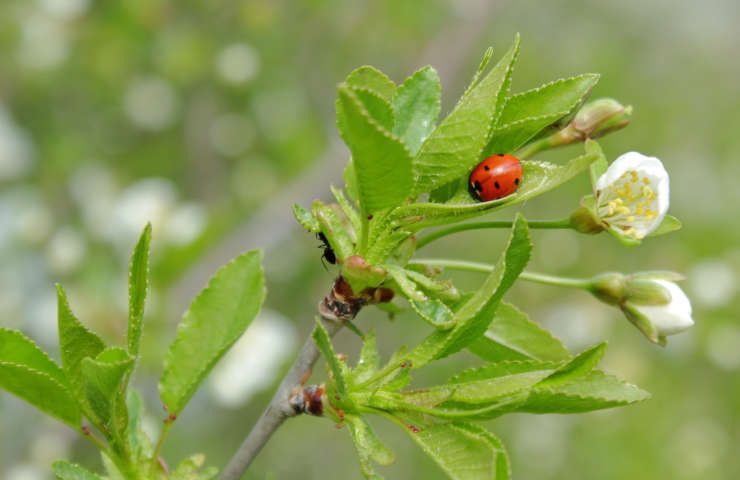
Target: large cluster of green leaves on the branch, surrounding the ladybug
<point>408,173</point>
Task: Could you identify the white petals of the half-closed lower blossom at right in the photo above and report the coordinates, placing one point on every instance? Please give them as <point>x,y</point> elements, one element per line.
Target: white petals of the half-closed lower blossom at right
<point>672,317</point>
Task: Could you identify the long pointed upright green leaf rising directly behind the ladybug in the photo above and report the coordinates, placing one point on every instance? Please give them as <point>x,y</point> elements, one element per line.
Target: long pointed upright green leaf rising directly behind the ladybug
<point>454,147</point>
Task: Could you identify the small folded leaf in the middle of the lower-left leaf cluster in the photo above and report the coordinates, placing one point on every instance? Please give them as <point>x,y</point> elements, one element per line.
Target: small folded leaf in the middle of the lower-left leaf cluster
<point>105,380</point>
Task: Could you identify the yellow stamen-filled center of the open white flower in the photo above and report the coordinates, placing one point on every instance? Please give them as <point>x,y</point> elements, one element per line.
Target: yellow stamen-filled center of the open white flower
<point>628,200</point>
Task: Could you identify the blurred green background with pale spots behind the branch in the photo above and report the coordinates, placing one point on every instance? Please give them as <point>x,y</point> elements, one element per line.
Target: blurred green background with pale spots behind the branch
<point>211,118</point>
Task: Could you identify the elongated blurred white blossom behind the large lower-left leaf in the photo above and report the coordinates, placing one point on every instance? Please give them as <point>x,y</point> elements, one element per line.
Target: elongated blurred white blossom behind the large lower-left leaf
<point>254,361</point>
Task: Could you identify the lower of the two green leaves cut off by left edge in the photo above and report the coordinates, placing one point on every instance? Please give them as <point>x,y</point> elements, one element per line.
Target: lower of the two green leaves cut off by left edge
<point>40,390</point>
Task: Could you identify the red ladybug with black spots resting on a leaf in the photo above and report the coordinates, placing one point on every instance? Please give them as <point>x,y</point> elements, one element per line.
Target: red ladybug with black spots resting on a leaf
<point>495,177</point>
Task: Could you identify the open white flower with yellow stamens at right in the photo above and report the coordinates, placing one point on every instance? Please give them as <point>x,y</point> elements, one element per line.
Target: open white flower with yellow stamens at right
<point>632,197</point>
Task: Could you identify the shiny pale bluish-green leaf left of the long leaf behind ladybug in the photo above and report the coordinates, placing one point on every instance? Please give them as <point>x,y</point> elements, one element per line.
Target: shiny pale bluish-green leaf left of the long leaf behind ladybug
<point>416,106</point>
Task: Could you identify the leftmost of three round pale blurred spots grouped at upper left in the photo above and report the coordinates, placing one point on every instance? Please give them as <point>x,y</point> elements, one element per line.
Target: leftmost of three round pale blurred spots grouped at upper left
<point>150,103</point>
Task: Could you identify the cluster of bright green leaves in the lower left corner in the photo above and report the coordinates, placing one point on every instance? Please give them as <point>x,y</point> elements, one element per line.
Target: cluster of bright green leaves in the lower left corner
<point>92,382</point>
